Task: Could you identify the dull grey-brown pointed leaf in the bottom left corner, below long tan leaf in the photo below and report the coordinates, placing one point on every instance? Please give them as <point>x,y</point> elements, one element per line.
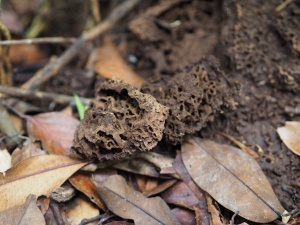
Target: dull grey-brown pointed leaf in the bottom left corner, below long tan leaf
<point>25,214</point>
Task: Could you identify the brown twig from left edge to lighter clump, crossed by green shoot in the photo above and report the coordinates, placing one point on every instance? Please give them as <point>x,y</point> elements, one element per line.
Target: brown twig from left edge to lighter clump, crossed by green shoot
<point>58,98</point>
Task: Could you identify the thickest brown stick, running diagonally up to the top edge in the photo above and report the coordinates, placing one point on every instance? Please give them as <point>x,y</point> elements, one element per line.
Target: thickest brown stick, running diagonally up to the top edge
<point>70,53</point>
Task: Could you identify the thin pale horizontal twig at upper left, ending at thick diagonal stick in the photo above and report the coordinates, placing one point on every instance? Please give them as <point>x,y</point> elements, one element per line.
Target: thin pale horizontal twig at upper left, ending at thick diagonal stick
<point>38,41</point>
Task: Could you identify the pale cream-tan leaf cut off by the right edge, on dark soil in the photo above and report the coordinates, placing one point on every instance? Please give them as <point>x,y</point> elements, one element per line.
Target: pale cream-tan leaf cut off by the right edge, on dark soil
<point>290,135</point>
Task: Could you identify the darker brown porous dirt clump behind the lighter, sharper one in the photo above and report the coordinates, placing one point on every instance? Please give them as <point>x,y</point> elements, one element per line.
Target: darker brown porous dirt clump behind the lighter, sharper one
<point>194,97</point>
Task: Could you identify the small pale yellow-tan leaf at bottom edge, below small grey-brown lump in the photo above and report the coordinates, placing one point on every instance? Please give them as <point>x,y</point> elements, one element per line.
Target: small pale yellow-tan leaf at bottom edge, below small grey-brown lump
<point>80,208</point>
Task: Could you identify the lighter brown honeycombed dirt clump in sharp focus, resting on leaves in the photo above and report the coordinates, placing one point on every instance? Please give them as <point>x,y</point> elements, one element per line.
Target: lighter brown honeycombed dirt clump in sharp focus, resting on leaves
<point>120,121</point>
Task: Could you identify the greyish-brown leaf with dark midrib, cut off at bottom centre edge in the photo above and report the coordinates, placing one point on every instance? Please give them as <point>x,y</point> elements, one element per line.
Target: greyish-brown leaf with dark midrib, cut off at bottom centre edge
<point>130,204</point>
